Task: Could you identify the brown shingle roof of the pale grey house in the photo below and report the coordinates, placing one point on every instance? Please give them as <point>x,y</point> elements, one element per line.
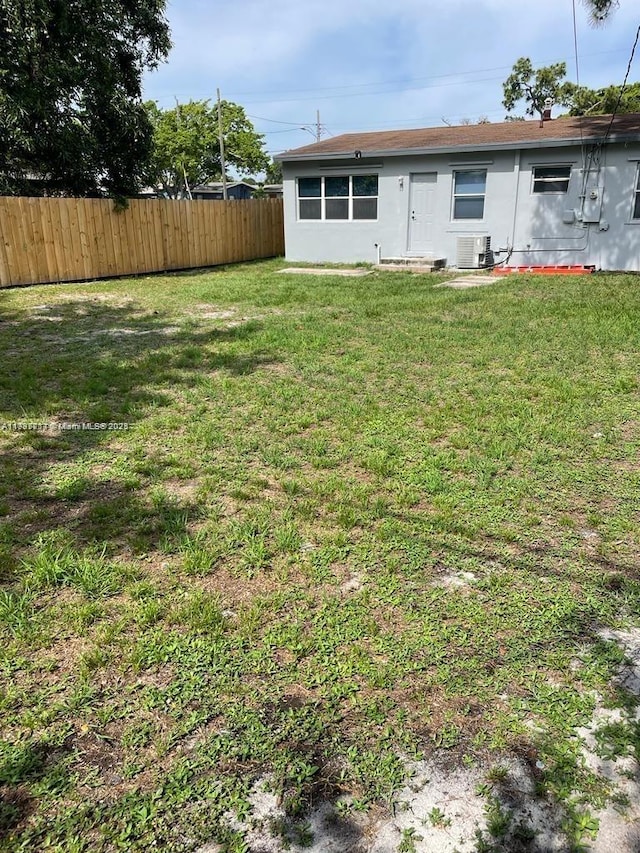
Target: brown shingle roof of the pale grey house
<point>508,134</point>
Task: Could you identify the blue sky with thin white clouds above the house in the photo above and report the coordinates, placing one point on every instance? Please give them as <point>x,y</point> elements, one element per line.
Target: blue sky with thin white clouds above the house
<point>376,64</point>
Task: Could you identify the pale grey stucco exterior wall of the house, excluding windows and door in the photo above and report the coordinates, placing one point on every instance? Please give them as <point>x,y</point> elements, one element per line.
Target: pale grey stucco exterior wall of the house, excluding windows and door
<point>531,224</point>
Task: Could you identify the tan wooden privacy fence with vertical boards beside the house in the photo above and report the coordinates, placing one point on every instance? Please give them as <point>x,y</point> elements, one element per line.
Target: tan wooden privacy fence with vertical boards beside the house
<point>71,239</point>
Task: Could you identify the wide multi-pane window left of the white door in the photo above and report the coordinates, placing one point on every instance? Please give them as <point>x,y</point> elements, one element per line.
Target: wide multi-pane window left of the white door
<point>346,197</point>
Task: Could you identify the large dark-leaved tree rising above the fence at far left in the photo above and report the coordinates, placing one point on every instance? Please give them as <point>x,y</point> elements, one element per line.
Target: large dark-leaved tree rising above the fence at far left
<point>71,111</point>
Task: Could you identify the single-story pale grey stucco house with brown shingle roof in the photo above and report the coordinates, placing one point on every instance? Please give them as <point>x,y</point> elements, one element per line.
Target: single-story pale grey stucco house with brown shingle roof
<point>562,191</point>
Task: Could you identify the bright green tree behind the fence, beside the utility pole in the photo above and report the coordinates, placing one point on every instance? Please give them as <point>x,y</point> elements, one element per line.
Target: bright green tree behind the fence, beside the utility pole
<point>187,150</point>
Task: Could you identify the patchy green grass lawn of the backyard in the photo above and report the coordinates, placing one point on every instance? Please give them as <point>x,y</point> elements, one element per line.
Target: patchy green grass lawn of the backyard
<point>353,522</point>
